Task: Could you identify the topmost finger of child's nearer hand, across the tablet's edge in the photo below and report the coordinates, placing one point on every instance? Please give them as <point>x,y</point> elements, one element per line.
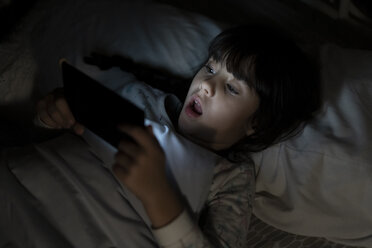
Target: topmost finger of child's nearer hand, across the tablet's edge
<point>141,135</point>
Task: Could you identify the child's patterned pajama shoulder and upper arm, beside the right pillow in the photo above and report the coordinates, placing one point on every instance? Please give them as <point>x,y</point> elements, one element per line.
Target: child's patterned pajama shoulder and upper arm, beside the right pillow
<point>226,216</point>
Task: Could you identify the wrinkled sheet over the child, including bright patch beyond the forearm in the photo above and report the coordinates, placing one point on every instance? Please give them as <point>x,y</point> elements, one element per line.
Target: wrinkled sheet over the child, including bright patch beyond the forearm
<point>62,193</point>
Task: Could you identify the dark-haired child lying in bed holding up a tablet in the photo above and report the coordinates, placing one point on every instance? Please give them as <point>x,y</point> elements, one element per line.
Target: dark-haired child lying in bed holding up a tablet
<point>255,89</point>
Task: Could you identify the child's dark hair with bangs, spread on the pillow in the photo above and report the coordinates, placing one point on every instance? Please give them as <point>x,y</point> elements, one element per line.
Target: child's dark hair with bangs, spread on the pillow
<point>284,78</point>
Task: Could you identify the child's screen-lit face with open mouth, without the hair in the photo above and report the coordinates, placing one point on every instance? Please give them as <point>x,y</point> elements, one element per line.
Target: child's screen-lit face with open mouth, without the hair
<point>217,110</point>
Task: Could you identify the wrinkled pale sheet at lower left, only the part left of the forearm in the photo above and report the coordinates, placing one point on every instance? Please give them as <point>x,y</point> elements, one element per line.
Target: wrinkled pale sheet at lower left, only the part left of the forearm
<point>58,192</point>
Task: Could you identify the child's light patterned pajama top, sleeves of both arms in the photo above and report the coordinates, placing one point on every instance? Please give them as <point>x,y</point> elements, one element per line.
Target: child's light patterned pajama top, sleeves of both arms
<point>224,220</point>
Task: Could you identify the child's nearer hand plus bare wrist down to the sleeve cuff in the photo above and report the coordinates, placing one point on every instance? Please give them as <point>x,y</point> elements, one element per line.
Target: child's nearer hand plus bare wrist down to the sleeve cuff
<point>140,166</point>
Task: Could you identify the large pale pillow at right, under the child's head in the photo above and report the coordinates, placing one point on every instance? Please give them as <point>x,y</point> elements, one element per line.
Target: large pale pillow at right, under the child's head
<point>319,182</point>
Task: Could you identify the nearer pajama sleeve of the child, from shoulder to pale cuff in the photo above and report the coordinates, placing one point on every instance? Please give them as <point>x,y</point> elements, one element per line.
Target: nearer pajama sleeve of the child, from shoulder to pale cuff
<point>227,213</point>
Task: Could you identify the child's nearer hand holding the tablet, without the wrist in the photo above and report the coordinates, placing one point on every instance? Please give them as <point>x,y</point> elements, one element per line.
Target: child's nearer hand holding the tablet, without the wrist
<point>140,163</point>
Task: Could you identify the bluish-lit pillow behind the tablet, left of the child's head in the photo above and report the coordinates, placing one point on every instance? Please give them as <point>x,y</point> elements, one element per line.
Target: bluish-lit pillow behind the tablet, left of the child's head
<point>148,32</point>
